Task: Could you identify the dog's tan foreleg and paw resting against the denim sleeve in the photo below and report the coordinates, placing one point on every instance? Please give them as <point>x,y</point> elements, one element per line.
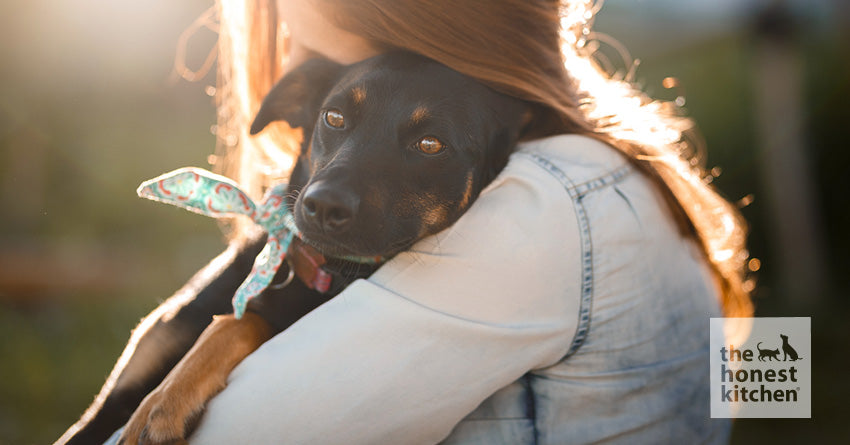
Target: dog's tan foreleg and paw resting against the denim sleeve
<point>165,414</point>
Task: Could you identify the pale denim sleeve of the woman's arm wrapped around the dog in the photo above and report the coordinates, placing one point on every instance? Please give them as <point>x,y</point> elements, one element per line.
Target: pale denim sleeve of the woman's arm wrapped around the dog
<point>405,355</point>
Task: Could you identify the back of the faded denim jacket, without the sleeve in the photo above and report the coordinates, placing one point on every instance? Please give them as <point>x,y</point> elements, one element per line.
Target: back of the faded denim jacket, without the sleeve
<point>637,368</point>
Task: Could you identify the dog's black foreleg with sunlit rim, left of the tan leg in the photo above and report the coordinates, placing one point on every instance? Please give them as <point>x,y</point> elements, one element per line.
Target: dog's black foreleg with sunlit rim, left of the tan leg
<point>159,342</point>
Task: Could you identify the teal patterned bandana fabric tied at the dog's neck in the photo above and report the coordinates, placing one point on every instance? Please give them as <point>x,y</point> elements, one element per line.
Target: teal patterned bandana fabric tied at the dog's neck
<point>204,192</point>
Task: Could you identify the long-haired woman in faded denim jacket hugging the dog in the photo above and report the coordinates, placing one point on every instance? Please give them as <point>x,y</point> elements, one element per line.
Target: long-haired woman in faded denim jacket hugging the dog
<point>569,305</point>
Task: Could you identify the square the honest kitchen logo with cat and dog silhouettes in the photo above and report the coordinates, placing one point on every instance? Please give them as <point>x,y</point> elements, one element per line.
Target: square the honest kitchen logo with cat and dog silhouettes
<point>760,367</point>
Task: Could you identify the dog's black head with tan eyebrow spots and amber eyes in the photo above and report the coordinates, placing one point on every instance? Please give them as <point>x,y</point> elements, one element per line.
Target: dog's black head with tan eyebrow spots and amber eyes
<point>401,146</point>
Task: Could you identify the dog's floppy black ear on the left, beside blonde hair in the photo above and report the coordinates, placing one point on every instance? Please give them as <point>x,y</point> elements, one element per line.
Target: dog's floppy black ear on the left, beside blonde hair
<point>297,96</point>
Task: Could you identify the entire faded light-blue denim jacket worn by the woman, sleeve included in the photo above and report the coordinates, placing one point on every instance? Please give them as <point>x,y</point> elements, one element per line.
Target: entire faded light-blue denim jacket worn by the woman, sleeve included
<point>564,307</point>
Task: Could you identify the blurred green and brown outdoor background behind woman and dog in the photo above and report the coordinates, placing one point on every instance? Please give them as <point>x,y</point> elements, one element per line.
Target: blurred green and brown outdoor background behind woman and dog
<point>90,107</point>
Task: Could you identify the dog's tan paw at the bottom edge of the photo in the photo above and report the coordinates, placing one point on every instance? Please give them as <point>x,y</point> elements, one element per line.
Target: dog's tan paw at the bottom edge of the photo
<point>159,420</point>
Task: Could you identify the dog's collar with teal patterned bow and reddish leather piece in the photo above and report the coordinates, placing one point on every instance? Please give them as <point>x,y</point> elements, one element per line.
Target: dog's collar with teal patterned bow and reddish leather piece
<point>213,195</point>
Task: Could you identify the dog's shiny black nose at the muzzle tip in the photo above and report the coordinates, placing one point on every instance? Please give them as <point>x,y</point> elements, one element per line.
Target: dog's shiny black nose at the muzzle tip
<point>329,207</point>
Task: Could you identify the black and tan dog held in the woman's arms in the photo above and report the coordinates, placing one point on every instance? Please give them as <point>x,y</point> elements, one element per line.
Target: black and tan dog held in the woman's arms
<point>401,146</point>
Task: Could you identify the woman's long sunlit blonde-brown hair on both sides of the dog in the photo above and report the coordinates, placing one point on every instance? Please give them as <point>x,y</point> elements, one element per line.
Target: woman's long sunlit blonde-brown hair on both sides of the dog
<point>538,50</point>
